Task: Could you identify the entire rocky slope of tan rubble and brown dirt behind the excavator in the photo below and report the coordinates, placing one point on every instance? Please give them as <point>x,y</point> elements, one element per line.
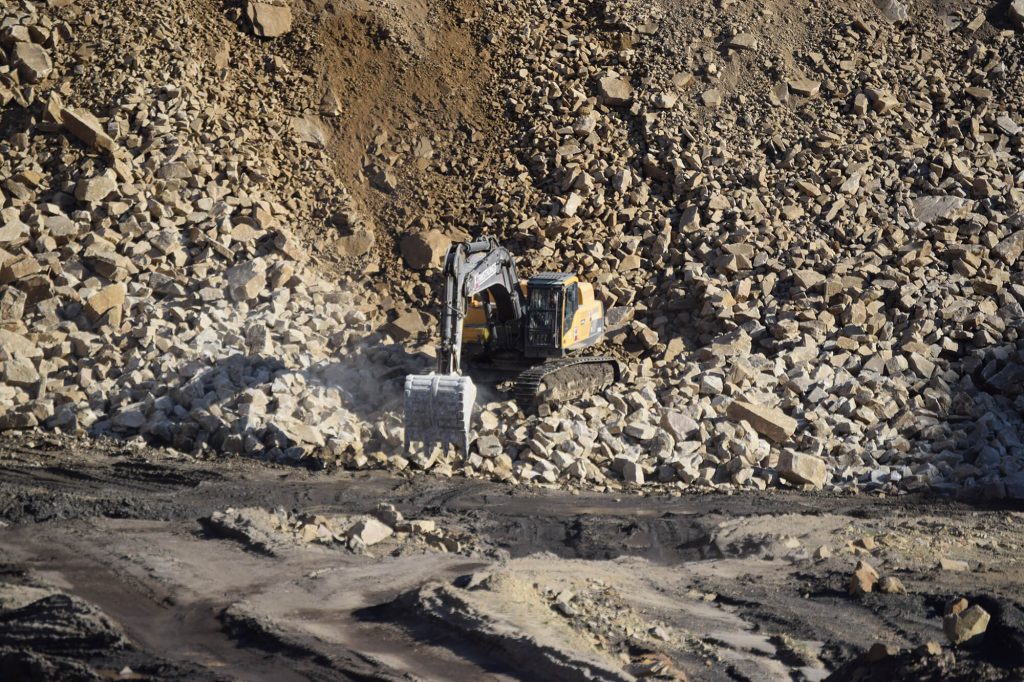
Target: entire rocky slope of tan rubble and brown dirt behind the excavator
<point>804,222</point>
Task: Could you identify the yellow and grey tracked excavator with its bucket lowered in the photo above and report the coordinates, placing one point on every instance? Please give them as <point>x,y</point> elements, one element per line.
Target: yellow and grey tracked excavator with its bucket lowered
<point>532,331</point>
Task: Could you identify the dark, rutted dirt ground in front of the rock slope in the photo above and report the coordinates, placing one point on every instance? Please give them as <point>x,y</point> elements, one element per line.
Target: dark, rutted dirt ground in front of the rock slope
<point>114,566</point>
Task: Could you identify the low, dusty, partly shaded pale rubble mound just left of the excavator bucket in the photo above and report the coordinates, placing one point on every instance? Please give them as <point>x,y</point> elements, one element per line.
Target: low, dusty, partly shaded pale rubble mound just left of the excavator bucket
<point>259,407</point>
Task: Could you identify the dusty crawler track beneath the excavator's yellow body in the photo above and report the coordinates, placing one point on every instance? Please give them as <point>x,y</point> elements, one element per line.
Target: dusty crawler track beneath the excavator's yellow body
<point>566,379</point>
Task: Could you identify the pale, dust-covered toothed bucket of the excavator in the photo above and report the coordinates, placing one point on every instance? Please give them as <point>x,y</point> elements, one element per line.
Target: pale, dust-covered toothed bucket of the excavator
<point>439,409</point>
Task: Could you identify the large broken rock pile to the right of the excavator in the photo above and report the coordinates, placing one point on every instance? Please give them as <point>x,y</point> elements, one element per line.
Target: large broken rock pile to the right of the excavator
<point>817,246</point>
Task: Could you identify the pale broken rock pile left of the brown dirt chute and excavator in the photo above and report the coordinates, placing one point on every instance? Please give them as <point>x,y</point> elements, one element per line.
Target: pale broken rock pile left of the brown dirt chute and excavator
<point>152,282</point>
